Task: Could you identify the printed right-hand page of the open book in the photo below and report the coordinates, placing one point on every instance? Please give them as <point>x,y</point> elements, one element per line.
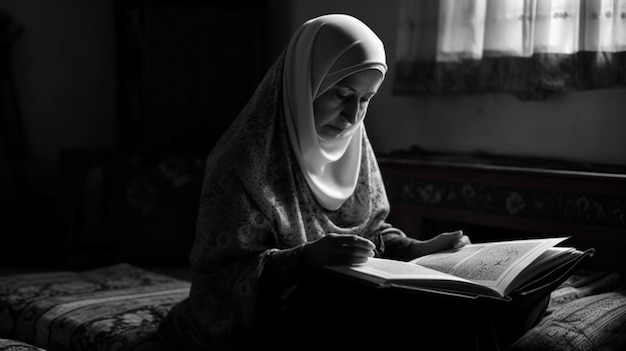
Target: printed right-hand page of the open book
<point>492,264</point>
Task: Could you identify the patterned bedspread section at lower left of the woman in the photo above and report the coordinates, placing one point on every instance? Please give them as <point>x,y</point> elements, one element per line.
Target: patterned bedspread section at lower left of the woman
<point>117,307</point>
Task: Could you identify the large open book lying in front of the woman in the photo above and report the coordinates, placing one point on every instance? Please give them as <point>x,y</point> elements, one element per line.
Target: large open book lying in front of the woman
<point>490,269</point>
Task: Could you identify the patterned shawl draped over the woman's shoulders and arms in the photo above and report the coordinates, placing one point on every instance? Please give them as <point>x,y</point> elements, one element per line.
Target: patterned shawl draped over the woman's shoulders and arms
<point>256,214</point>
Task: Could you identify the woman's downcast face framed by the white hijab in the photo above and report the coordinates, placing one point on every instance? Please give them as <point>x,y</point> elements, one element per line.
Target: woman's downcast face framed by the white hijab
<point>344,104</point>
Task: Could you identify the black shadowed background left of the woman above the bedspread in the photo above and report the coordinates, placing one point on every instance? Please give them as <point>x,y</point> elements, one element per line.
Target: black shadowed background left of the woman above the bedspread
<point>119,104</point>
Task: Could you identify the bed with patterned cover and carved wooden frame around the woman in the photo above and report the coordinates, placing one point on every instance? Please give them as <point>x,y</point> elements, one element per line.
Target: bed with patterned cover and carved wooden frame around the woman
<point>119,306</point>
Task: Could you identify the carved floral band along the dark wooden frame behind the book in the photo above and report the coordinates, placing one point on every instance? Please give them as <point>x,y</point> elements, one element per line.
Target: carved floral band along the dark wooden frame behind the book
<point>566,207</point>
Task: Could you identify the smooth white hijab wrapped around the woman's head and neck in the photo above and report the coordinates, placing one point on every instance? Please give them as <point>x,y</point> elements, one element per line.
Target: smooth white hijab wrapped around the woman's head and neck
<point>323,51</point>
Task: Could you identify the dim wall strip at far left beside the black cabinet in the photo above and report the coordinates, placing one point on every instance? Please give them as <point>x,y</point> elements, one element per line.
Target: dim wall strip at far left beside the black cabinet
<point>63,73</point>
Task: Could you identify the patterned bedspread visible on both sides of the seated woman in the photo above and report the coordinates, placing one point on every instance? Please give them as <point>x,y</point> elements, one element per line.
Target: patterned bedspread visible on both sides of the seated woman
<point>119,307</point>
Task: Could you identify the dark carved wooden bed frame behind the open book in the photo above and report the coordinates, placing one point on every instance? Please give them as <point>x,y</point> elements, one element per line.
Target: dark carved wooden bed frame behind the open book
<point>493,202</point>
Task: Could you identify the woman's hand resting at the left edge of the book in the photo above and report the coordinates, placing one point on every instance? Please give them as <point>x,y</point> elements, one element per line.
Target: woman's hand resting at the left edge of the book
<point>337,249</point>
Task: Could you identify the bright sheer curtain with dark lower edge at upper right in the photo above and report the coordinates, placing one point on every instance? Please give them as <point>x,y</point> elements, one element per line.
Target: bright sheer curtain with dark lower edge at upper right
<point>525,47</point>
